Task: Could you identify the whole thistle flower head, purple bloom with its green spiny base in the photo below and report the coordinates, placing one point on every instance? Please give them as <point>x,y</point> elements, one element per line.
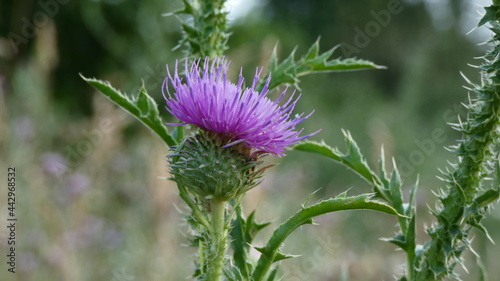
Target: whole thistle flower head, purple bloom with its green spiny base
<point>237,126</point>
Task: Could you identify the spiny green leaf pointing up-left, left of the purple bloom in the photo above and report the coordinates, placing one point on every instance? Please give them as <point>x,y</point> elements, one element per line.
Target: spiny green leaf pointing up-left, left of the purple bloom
<point>144,108</point>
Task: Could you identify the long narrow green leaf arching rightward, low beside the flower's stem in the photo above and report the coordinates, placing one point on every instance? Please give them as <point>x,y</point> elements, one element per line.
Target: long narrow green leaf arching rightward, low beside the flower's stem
<point>269,252</point>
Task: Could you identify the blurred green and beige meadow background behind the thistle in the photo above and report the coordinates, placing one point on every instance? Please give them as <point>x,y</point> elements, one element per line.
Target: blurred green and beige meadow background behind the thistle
<point>90,203</point>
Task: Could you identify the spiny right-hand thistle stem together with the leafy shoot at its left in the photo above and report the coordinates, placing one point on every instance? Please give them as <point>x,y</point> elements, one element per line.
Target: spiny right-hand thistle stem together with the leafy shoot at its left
<point>468,190</point>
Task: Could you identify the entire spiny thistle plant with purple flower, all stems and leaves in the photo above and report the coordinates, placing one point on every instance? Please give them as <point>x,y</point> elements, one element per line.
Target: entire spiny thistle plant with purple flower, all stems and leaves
<point>225,130</point>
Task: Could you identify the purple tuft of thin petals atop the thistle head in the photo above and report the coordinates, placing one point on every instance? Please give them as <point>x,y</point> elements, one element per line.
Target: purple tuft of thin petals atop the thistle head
<point>241,115</point>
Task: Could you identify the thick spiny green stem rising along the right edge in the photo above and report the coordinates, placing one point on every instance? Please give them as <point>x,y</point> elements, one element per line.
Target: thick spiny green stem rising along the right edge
<point>462,204</point>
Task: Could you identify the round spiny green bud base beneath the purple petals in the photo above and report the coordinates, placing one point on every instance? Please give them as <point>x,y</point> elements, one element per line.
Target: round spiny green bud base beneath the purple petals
<point>203,166</point>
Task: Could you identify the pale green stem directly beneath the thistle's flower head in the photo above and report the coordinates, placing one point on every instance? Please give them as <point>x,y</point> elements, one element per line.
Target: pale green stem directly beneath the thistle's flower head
<point>218,243</point>
